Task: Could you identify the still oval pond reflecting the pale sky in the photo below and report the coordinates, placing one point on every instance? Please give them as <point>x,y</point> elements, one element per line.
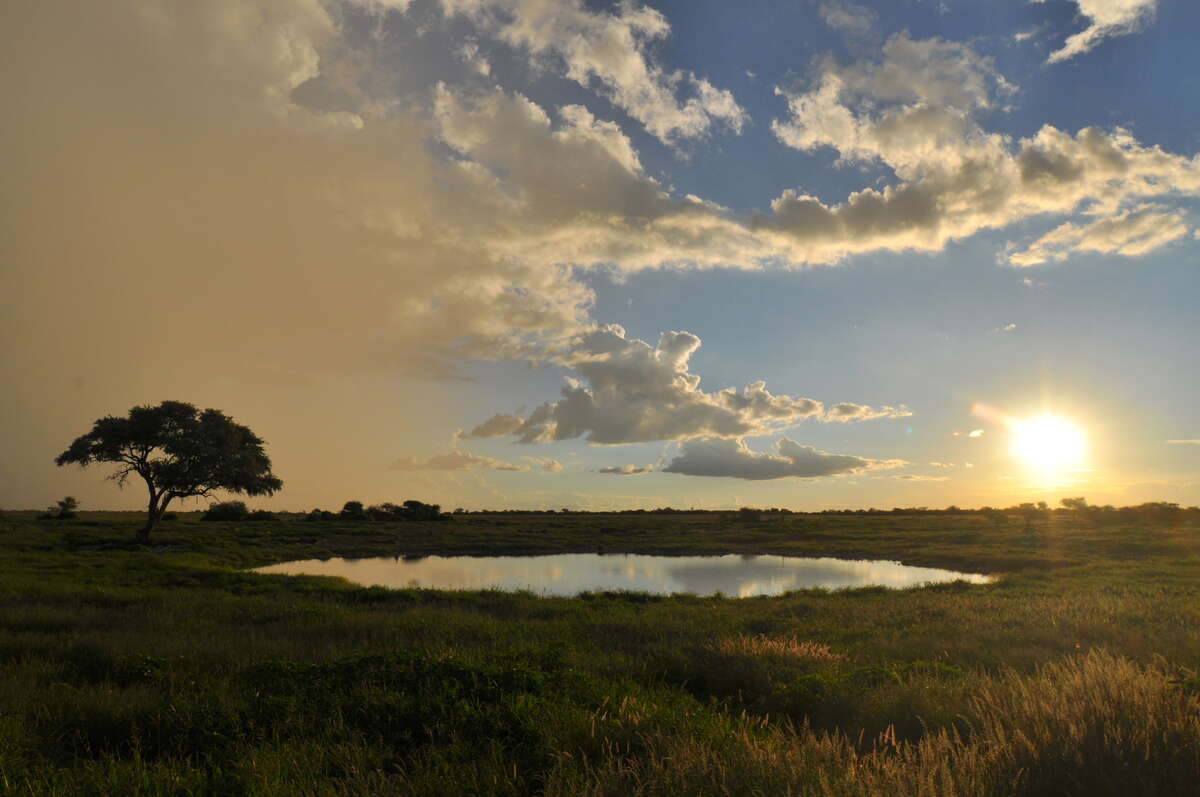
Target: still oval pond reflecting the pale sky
<point>569,574</point>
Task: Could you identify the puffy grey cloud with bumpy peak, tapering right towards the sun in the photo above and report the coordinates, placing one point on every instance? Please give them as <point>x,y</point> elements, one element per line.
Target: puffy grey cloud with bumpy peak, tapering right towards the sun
<point>631,392</point>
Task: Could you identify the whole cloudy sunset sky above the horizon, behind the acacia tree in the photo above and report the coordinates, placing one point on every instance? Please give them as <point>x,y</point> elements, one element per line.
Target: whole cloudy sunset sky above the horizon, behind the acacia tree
<point>554,254</point>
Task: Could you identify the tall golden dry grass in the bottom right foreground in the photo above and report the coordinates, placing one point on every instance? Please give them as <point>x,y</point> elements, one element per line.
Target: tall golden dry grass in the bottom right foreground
<point>1095,724</point>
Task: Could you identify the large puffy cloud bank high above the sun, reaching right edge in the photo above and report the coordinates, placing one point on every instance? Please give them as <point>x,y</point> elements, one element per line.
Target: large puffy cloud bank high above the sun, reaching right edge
<point>916,110</point>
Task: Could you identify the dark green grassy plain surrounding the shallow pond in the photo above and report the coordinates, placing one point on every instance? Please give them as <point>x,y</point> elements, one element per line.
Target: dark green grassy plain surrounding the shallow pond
<point>169,670</point>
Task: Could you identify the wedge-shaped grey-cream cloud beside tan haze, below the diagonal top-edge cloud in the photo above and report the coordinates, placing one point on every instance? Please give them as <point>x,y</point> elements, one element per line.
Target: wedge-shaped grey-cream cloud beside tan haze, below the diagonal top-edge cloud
<point>603,211</point>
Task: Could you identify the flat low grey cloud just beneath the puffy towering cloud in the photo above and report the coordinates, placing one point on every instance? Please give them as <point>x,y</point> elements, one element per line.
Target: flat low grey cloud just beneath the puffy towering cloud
<point>734,459</point>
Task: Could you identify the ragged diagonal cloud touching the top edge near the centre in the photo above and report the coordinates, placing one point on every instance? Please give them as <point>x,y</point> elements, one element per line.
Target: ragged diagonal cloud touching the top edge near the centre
<point>609,52</point>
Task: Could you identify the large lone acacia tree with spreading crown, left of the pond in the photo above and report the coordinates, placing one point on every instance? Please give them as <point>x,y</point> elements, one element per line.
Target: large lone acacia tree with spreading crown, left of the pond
<point>181,452</point>
